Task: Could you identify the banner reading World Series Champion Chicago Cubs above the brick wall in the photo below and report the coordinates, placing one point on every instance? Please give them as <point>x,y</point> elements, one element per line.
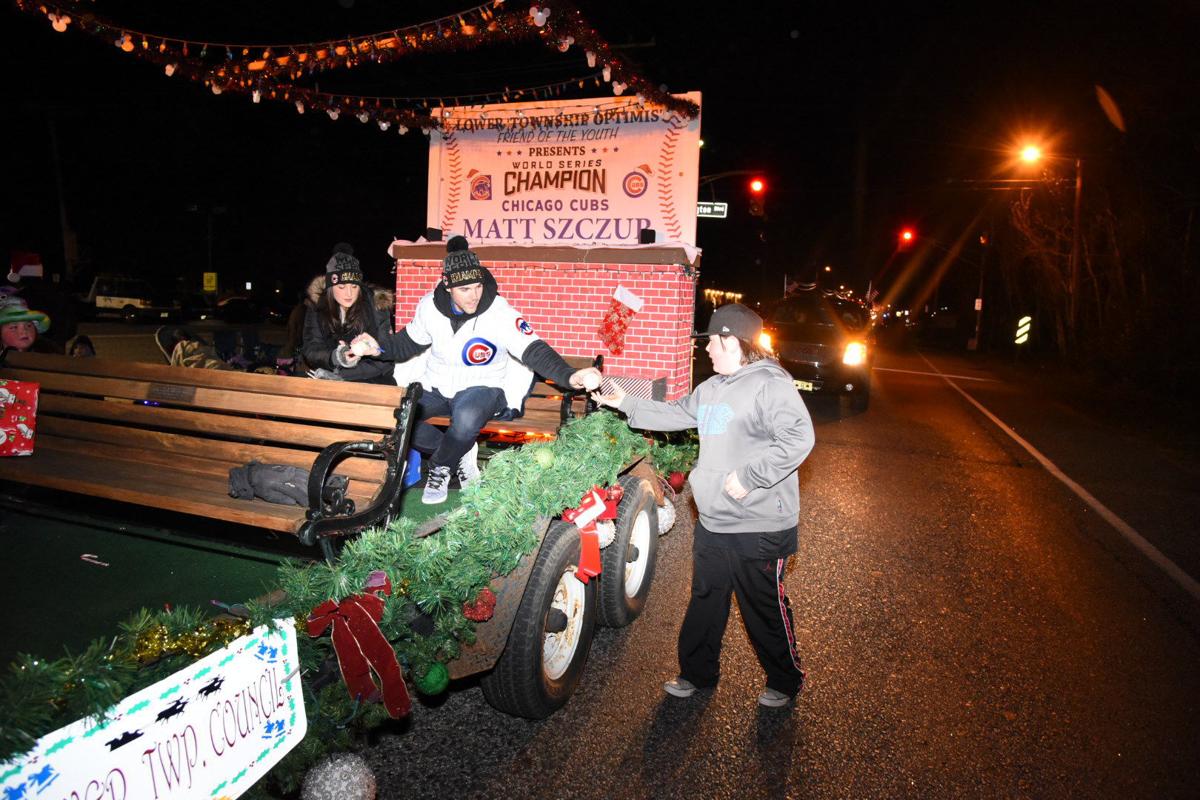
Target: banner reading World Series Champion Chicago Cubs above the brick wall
<point>566,173</point>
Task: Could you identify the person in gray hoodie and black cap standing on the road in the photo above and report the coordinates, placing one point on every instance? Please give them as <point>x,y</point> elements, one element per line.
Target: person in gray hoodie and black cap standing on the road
<point>754,434</point>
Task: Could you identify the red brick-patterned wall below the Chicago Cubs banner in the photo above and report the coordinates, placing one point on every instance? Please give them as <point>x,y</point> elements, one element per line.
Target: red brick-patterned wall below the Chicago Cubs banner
<point>567,302</point>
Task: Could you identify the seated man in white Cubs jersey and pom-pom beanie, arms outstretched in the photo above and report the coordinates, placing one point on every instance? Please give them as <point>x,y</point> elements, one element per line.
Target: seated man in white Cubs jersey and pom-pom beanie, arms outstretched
<point>482,360</point>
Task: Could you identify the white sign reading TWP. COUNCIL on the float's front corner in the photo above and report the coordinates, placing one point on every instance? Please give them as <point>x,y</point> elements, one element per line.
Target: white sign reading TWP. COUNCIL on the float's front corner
<point>209,731</point>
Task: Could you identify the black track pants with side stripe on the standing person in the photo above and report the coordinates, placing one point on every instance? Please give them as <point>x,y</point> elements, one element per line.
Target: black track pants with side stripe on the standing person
<point>759,586</point>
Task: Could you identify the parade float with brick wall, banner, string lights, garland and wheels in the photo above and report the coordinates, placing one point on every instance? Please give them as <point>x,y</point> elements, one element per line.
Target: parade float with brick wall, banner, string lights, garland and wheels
<point>585,213</point>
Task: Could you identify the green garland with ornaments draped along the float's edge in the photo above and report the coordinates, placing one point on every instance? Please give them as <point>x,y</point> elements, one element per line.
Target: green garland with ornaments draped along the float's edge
<point>433,578</point>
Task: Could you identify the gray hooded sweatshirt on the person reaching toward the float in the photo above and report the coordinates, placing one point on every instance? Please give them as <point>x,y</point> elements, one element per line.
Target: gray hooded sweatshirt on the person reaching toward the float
<point>754,423</point>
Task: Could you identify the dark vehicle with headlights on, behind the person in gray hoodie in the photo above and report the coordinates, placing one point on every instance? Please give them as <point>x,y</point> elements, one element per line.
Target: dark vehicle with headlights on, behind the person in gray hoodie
<point>826,342</point>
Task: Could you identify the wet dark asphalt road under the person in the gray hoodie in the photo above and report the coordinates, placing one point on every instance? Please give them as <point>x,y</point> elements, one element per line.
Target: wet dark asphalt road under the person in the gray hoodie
<point>969,624</point>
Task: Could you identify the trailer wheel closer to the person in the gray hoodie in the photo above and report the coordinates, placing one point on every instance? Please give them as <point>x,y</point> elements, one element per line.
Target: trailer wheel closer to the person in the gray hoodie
<point>625,582</point>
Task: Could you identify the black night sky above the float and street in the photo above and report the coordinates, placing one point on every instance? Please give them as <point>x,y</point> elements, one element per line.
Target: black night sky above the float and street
<point>862,118</point>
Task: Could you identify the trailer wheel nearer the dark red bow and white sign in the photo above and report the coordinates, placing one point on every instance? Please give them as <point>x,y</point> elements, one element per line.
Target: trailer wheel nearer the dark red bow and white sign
<point>538,672</point>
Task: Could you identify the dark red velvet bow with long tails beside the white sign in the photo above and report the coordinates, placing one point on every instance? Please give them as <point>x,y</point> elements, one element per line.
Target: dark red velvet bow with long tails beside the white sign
<point>362,647</point>
